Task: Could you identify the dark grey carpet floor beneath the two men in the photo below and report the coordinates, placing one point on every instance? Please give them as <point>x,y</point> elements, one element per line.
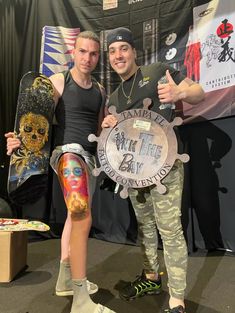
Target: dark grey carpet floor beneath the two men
<point>211,281</point>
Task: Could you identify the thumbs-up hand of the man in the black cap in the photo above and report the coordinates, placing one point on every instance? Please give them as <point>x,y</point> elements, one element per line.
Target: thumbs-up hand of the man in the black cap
<point>169,92</point>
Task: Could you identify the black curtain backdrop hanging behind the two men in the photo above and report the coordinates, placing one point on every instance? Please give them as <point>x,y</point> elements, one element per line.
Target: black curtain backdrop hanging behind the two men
<point>209,197</point>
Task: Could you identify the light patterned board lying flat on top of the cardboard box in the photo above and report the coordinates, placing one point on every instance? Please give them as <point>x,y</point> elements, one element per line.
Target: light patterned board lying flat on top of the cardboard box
<point>8,224</point>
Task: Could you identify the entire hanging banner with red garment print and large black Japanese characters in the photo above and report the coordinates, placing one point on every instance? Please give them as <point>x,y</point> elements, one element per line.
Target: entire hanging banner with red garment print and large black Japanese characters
<point>210,59</point>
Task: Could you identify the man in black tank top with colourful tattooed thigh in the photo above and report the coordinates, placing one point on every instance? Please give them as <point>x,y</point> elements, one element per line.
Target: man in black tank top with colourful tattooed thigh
<point>79,109</point>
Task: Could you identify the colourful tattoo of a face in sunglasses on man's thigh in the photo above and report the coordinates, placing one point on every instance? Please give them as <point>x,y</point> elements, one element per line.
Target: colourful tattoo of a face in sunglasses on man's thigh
<point>73,180</point>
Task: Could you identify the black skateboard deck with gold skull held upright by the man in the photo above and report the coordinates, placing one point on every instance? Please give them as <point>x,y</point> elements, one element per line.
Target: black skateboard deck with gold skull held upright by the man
<point>29,163</point>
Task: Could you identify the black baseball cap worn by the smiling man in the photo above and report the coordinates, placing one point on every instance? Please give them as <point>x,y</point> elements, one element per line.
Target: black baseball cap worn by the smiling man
<point>120,34</point>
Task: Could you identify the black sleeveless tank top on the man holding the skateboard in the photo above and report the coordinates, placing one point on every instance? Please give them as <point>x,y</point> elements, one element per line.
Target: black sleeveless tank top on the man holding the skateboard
<point>77,114</point>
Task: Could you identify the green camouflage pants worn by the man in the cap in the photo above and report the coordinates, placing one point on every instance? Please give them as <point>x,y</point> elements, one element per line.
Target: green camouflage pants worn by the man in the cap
<point>164,212</point>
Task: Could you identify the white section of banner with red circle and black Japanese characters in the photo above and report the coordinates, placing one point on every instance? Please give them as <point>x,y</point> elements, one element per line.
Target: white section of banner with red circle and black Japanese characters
<point>214,25</point>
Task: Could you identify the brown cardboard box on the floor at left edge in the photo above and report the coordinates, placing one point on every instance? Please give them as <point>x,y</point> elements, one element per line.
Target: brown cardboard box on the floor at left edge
<point>13,254</point>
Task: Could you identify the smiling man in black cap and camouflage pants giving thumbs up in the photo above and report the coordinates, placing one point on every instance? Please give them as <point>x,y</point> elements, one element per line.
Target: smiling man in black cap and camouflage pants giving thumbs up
<point>163,211</point>
